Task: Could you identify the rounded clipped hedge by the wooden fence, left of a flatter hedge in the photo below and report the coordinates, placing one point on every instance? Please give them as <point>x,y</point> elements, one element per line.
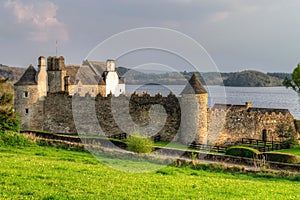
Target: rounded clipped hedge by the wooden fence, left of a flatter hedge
<point>242,152</point>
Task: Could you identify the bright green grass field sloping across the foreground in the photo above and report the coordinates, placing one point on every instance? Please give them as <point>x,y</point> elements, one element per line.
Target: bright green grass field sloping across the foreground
<point>49,173</point>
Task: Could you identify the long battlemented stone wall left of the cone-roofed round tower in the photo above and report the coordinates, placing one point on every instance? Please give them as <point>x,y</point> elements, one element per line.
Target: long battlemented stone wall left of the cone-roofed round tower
<point>141,113</point>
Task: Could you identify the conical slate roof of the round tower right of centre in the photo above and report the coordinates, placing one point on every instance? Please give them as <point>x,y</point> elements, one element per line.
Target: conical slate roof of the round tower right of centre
<point>194,86</point>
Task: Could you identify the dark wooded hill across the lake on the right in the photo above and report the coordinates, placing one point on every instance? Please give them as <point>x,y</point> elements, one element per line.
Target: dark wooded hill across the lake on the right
<point>250,79</point>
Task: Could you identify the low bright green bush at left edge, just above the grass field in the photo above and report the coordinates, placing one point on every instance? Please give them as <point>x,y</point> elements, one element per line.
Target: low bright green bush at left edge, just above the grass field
<point>10,138</point>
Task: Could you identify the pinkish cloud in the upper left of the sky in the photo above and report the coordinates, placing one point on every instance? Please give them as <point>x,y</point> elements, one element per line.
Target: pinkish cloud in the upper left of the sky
<point>39,17</point>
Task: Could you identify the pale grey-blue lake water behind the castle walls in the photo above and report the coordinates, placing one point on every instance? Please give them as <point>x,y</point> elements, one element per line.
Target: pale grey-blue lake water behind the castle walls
<point>263,97</point>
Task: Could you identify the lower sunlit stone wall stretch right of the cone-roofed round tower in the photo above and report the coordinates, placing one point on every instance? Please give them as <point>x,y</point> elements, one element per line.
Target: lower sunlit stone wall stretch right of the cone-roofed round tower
<point>227,127</point>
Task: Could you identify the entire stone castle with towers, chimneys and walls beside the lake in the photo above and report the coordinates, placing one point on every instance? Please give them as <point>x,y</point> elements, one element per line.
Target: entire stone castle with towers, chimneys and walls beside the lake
<point>44,100</point>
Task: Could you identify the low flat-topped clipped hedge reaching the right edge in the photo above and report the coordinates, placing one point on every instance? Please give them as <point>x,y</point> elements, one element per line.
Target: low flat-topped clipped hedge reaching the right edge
<point>281,157</point>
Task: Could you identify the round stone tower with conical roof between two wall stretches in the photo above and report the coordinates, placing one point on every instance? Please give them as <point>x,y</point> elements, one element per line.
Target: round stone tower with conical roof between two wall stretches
<point>194,102</point>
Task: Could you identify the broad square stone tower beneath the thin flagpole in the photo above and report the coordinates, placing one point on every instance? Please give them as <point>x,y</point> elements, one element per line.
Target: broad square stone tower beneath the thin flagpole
<point>56,74</point>
